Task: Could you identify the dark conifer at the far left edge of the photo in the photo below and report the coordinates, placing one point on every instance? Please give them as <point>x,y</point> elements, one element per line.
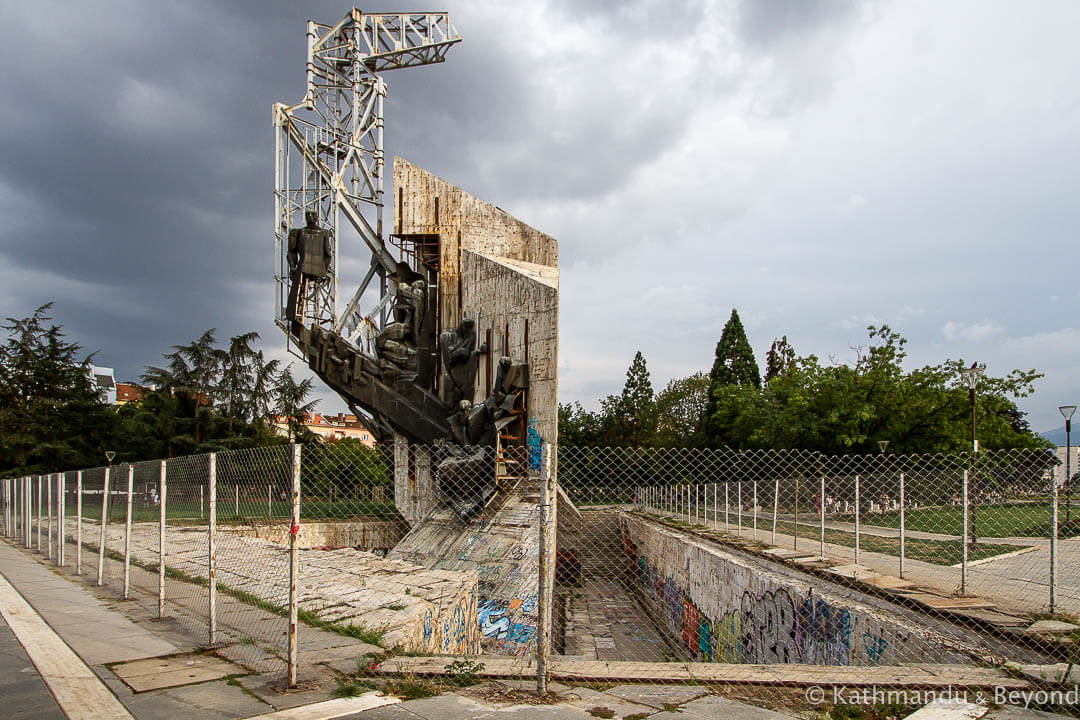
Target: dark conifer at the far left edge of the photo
<point>52,415</point>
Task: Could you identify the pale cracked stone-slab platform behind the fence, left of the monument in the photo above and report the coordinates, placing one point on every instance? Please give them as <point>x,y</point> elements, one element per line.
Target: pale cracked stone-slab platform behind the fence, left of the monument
<point>418,609</point>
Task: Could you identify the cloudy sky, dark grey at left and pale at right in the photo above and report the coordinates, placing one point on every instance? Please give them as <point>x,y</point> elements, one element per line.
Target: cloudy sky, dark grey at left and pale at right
<point>819,166</point>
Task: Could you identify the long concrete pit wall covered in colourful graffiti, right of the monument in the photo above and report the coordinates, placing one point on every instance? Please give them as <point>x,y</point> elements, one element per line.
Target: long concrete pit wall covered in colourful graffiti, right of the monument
<point>730,609</point>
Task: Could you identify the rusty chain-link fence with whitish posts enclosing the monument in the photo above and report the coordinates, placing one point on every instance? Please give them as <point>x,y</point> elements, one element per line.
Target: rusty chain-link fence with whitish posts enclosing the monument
<point>664,565</point>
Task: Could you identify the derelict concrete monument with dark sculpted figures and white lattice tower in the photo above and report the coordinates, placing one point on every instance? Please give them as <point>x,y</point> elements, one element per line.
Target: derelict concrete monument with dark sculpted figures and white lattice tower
<point>450,344</point>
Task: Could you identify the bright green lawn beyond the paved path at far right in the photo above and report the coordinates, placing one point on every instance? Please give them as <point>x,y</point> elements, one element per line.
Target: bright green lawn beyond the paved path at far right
<point>1000,521</point>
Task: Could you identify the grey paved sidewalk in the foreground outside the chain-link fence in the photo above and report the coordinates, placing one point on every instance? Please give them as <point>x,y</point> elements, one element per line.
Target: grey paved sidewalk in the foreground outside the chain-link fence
<point>105,632</point>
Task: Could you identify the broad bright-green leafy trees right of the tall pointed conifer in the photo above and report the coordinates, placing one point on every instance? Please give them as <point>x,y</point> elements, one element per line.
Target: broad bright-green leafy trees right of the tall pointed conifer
<point>848,409</point>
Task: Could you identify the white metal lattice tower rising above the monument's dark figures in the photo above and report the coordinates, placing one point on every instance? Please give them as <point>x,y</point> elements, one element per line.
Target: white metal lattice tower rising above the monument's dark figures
<point>329,155</point>
